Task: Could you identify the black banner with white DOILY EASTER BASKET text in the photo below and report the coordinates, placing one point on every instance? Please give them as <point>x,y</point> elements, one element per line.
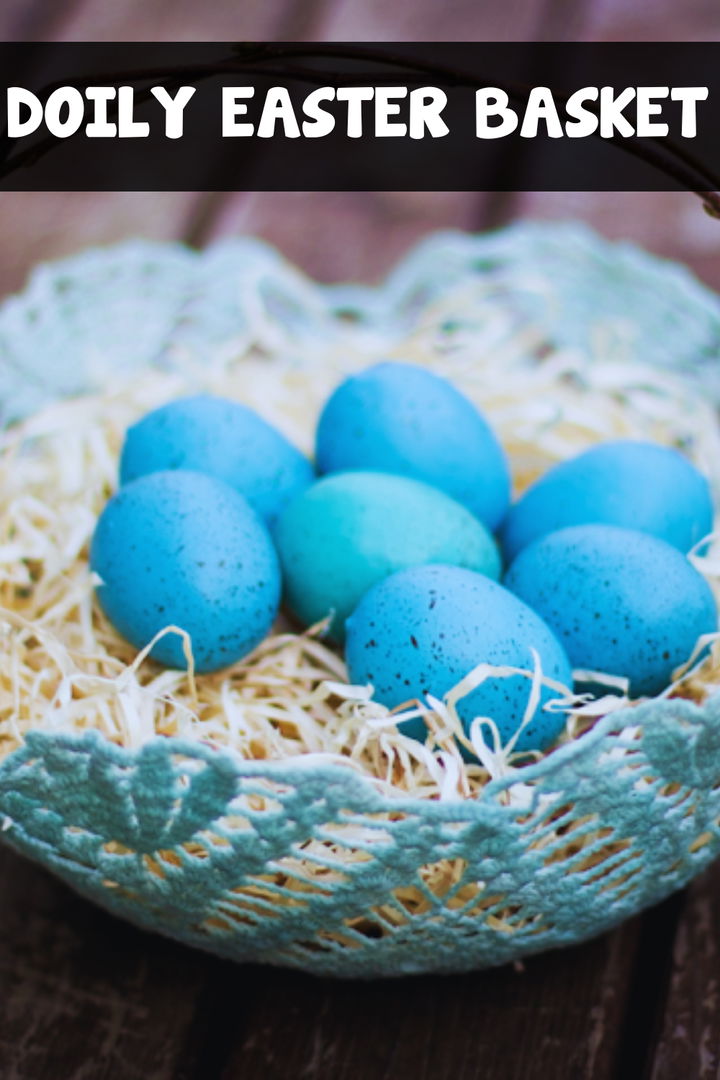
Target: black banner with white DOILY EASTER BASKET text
<point>470,116</point>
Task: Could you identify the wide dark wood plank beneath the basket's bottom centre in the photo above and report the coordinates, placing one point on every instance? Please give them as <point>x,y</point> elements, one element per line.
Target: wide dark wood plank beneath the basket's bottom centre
<point>560,1018</point>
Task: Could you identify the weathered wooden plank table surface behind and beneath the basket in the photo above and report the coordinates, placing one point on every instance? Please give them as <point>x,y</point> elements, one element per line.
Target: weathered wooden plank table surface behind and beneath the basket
<point>86,997</point>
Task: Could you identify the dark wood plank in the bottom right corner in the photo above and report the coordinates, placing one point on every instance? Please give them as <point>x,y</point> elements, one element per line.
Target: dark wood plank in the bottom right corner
<point>689,1042</point>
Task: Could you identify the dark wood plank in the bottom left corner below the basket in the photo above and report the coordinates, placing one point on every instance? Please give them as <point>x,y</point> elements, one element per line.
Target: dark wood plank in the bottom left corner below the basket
<point>85,995</point>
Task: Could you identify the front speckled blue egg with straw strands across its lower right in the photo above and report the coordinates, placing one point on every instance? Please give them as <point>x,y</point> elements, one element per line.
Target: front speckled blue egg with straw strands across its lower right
<point>424,630</point>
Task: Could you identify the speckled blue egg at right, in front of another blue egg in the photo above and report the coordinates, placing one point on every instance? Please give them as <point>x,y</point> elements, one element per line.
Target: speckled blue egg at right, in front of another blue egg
<point>622,602</point>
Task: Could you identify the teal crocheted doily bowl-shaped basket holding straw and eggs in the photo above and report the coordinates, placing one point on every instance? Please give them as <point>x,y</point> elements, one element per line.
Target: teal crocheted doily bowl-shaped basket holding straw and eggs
<point>307,866</point>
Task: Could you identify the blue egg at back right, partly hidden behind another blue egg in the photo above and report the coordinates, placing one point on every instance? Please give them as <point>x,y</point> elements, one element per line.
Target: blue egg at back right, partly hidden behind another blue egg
<point>637,485</point>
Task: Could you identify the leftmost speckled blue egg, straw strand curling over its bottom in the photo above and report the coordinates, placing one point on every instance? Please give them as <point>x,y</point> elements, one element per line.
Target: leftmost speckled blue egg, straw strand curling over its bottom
<point>184,549</point>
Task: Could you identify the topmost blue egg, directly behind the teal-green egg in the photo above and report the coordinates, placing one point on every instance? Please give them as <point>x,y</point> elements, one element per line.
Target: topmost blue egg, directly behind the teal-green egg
<point>399,418</point>
